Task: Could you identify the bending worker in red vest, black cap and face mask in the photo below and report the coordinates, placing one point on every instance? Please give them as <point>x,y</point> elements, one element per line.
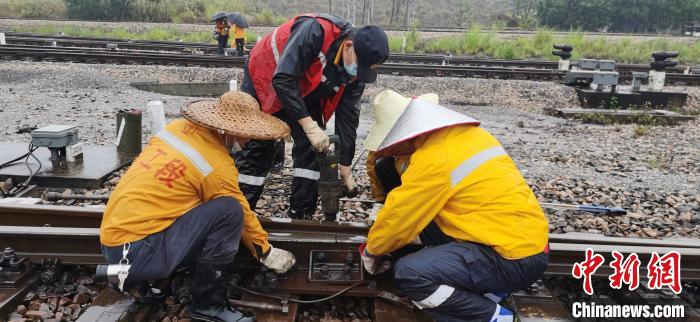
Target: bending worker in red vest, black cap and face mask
<point>306,70</point>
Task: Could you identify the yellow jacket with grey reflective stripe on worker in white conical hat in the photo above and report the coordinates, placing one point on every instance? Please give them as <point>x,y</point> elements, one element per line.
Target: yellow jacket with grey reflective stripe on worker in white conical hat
<point>462,178</point>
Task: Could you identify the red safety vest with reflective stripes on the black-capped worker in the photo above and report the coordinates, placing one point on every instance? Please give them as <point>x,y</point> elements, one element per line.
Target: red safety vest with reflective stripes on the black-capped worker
<point>265,55</point>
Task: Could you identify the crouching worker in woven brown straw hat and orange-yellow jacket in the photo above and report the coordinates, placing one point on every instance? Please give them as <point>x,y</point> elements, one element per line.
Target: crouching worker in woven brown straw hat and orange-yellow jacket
<point>179,204</point>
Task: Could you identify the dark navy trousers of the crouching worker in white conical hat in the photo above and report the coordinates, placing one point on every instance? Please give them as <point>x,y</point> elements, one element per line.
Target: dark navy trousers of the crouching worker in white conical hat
<point>461,281</point>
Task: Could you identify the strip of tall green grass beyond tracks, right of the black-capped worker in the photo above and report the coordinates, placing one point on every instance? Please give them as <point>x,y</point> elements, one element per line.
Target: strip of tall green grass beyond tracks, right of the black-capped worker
<point>475,42</point>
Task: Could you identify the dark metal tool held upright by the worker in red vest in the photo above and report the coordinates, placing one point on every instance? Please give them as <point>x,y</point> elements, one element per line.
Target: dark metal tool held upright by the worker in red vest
<point>330,189</point>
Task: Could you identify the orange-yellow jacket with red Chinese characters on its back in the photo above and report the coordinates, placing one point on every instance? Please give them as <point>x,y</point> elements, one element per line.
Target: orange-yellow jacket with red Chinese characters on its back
<point>182,167</point>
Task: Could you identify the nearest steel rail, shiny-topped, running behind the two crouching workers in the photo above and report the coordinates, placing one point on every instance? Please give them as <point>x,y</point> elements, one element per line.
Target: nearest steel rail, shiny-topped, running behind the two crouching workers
<point>82,246</point>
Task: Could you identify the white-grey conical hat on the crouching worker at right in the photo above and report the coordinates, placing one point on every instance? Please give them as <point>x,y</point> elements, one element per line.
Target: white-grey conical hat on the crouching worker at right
<point>421,117</point>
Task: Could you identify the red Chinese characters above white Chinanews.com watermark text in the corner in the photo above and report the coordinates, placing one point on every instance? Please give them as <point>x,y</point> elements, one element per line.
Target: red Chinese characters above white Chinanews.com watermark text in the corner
<point>663,271</point>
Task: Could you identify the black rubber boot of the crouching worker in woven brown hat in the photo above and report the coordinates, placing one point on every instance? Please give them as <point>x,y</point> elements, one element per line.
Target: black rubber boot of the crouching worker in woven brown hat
<point>209,302</point>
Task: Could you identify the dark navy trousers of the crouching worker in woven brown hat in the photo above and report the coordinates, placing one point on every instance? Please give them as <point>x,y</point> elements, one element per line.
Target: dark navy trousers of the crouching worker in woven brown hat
<point>209,233</point>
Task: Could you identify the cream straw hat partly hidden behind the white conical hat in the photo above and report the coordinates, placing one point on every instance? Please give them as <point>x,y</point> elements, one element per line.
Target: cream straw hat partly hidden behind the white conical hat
<point>387,107</point>
